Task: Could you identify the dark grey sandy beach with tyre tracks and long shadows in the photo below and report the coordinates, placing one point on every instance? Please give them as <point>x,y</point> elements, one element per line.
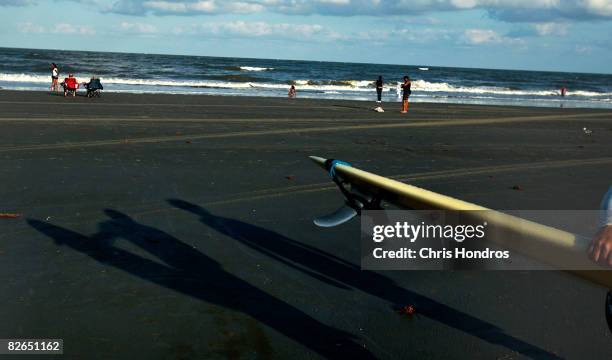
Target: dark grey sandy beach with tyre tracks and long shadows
<point>180,227</point>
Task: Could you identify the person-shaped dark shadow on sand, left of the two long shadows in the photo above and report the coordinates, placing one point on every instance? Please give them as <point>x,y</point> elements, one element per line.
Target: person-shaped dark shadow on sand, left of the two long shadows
<point>191,272</point>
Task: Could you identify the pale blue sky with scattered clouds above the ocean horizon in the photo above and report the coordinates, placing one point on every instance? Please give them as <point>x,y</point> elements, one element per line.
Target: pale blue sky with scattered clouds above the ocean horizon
<point>556,35</point>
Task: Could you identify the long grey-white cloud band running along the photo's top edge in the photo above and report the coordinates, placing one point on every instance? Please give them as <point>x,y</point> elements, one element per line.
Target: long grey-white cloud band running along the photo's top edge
<point>507,10</point>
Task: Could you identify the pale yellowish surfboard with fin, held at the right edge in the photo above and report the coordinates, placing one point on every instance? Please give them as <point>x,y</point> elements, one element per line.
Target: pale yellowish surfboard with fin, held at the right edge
<point>543,243</point>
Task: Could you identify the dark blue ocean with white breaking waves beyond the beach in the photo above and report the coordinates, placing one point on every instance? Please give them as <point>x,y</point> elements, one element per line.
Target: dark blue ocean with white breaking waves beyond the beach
<point>28,69</point>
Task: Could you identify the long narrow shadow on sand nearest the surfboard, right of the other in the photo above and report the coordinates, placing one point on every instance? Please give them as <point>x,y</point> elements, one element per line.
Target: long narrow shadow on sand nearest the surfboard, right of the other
<point>332,269</point>
